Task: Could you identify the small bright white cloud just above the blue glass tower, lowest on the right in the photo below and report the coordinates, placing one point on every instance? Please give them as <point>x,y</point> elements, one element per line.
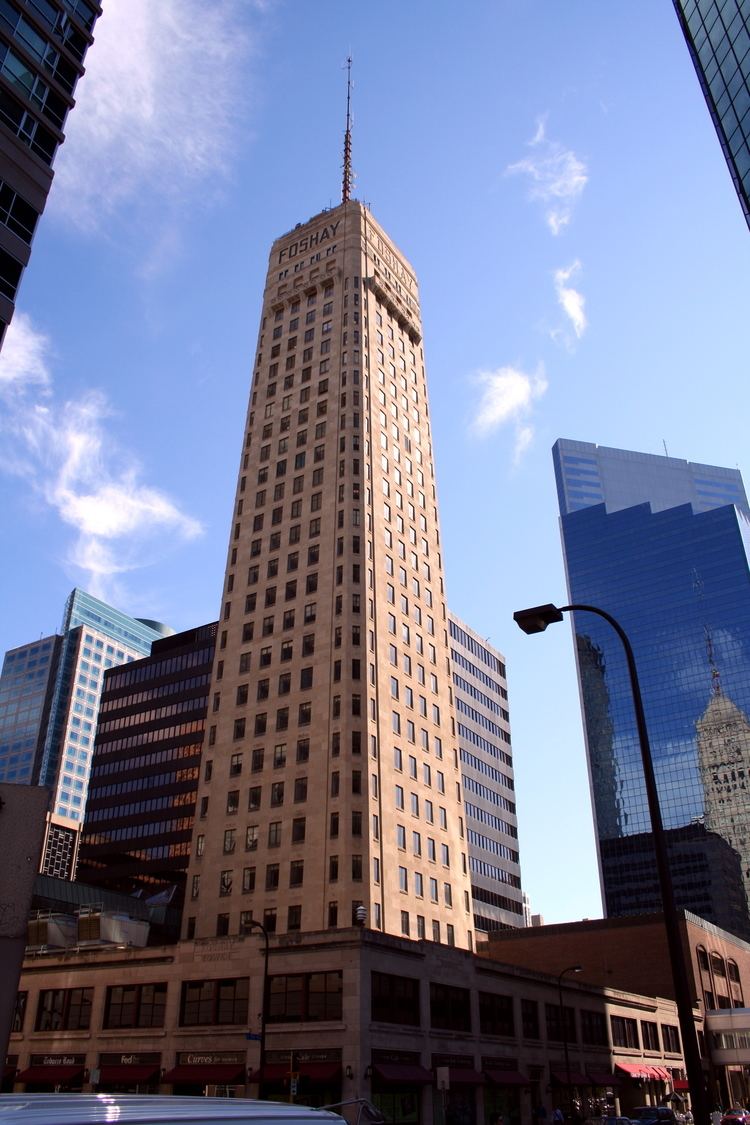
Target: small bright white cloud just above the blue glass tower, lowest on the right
<point>508,399</point>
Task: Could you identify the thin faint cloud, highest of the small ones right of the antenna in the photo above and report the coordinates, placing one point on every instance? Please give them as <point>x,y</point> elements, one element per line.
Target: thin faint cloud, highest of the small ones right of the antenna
<point>557,177</point>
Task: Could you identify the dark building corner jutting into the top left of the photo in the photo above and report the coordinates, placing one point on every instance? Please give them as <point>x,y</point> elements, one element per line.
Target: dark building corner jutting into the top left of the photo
<point>43,44</point>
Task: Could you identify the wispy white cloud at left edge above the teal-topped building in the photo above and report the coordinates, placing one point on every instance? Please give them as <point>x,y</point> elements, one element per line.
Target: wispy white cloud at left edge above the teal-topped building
<point>68,457</point>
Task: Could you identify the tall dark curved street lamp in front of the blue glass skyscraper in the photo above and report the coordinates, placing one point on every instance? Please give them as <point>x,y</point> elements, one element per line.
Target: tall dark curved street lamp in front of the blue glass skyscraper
<point>537,620</point>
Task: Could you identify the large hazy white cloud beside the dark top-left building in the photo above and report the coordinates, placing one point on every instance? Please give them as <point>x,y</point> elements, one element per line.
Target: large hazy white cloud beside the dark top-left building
<point>165,88</point>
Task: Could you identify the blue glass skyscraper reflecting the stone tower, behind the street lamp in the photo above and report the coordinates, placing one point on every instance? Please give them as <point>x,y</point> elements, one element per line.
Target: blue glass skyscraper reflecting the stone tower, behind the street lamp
<point>661,544</point>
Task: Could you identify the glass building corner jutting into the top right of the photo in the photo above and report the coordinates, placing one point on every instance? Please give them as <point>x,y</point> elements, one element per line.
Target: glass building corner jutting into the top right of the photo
<point>718,34</point>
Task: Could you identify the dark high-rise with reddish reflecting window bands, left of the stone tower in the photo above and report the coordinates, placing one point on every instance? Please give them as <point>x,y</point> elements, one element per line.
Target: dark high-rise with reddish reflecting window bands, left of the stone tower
<point>144,776</point>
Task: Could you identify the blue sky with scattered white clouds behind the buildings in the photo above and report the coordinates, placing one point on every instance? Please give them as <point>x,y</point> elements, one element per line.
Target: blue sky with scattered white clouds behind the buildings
<point>552,173</point>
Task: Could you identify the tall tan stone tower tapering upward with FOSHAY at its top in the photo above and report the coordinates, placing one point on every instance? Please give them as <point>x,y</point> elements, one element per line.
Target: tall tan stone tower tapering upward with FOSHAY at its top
<point>331,778</point>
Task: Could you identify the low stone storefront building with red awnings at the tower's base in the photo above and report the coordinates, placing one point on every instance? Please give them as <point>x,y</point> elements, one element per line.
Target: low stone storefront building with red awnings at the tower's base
<point>349,1014</point>
